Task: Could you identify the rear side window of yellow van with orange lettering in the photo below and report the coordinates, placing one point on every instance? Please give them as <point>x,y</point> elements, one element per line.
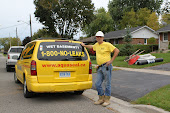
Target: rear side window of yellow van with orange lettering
<point>28,51</point>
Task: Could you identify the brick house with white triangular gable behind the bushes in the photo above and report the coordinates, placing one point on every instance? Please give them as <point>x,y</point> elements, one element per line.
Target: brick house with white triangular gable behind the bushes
<point>139,34</point>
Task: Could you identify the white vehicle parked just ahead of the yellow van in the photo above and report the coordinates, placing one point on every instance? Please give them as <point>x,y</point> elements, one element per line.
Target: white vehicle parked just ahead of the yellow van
<point>12,56</point>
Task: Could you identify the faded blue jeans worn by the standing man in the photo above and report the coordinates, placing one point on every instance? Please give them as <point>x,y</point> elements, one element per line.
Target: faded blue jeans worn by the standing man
<point>104,74</point>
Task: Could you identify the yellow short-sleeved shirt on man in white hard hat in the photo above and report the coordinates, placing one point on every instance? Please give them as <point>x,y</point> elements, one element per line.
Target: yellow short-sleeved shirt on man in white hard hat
<point>103,52</point>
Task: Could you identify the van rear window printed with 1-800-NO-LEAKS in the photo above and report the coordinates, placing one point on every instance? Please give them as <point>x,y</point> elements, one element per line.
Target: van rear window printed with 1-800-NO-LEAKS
<point>61,51</point>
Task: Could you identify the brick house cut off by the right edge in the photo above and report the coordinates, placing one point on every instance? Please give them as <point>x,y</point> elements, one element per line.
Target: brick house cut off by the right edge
<point>164,37</point>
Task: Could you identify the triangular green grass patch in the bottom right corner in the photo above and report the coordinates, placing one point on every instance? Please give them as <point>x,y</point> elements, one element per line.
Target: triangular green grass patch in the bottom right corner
<point>159,98</point>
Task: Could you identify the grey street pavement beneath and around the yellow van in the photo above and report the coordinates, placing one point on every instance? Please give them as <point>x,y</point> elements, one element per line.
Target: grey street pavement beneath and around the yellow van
<point>13,101</point>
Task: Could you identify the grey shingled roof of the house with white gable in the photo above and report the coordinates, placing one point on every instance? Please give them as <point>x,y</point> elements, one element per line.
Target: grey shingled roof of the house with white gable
<point>122,33</point>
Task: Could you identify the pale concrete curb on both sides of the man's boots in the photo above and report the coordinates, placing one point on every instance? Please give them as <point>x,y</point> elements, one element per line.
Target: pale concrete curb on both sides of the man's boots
<point>120,106</point>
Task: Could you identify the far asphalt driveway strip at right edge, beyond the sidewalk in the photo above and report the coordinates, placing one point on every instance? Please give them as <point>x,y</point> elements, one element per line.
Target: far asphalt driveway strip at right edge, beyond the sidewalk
<point>165,67</point>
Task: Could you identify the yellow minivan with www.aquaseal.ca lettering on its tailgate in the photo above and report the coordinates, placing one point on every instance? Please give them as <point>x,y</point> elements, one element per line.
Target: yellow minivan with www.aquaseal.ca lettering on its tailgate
<point>50,65</point>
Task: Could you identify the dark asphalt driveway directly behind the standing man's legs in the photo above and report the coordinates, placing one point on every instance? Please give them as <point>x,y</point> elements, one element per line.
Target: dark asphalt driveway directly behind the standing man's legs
<point>130,85</point>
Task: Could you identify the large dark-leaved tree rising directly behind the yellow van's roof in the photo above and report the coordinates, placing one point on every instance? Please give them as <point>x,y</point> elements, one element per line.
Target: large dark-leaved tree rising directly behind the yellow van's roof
<point>64,16</point>
